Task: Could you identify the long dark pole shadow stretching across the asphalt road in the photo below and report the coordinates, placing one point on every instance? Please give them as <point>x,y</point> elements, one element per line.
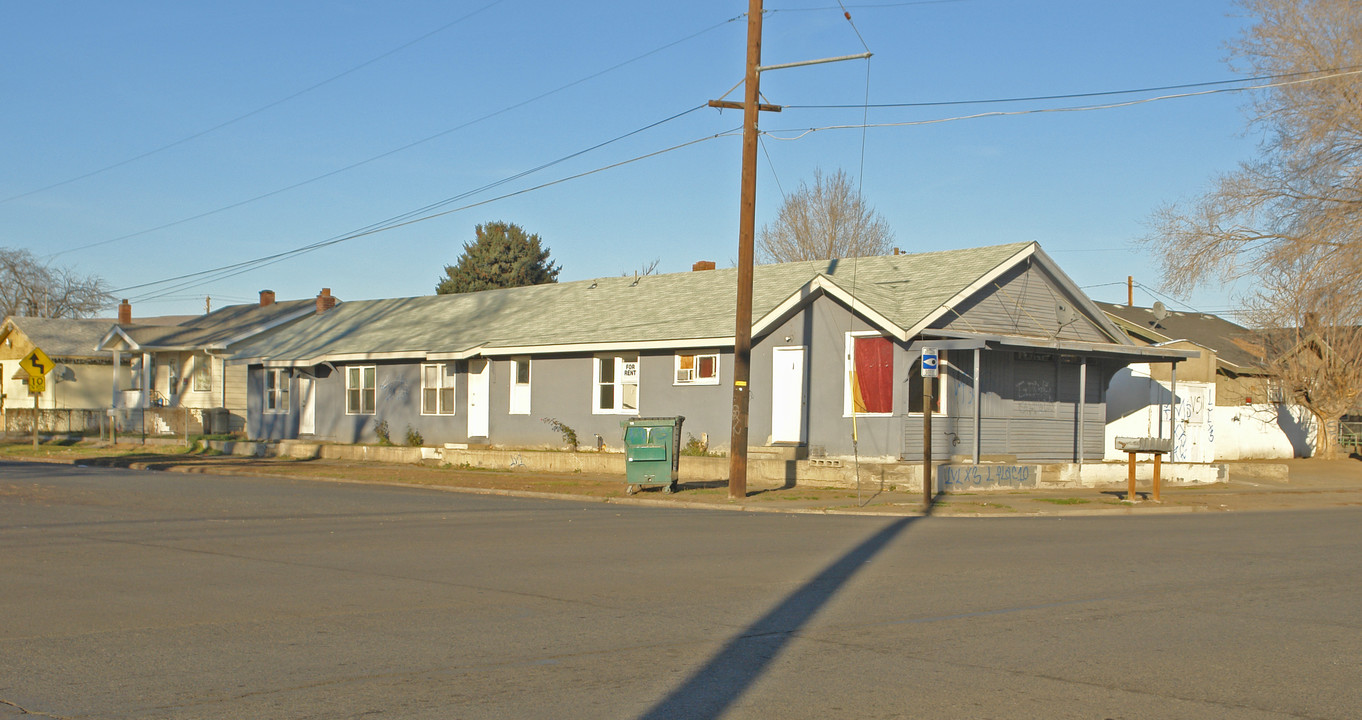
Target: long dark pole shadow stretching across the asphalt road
<point>733,670</point>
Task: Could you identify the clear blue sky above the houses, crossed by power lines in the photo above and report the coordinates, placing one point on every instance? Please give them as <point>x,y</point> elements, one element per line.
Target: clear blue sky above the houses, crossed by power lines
<point>148,141</point>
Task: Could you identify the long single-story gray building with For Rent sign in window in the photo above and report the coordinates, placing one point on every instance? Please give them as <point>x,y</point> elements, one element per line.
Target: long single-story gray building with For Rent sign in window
<point>1026,360</point>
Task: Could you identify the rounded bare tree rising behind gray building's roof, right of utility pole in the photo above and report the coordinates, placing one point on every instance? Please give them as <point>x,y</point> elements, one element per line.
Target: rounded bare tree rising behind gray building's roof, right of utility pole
<point>826,221</point>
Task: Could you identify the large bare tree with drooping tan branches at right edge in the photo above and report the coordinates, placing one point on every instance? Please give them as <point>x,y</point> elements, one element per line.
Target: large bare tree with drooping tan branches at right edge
<point>1292,218</point>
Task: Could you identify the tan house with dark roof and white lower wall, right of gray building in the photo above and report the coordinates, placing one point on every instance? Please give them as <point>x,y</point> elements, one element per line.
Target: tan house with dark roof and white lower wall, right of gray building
<point>1228,409</point>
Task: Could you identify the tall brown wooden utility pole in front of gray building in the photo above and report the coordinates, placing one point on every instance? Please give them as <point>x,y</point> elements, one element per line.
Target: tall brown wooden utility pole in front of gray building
<point>747,231</point>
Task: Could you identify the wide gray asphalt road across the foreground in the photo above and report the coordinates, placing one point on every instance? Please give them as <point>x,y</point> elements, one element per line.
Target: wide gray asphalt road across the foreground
<point>129,594</point>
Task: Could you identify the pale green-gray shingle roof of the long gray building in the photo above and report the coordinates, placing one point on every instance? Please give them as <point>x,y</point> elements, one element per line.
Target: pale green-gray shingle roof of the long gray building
<point>898,295</point>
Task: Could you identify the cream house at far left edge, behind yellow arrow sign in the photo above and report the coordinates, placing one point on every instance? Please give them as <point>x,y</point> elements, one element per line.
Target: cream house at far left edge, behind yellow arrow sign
<point>78,387</point>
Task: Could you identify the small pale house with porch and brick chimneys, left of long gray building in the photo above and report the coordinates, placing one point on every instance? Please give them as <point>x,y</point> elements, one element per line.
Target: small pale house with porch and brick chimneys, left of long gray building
<point>178,379</point>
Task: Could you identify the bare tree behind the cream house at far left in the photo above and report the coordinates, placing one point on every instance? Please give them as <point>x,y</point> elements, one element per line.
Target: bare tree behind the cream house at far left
<point>32,288</point>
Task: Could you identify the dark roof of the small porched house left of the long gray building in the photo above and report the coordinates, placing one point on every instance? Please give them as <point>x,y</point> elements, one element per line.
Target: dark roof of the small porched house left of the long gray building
<point>215,331</point>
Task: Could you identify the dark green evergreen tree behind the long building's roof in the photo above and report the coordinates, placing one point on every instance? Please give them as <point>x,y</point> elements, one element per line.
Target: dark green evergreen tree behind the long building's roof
<point>501,257</point>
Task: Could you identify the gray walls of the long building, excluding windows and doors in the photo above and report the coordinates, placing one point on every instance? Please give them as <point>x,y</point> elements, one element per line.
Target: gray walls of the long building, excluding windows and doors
<point>1028,406</point>
